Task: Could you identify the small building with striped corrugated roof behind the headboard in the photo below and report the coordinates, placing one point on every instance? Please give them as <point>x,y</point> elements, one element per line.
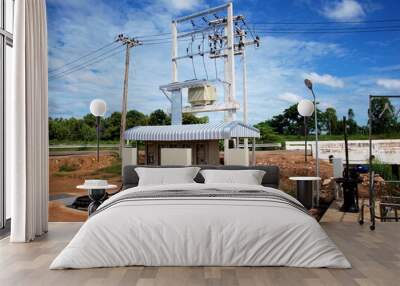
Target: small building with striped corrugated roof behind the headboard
<point>192,144</point>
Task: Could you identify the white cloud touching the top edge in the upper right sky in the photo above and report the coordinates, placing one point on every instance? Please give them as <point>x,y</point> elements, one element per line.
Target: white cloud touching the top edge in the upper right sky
<point>343,10</point>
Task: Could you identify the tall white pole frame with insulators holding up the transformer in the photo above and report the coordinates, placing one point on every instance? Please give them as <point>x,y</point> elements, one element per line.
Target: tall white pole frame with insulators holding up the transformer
<point>226,35</point>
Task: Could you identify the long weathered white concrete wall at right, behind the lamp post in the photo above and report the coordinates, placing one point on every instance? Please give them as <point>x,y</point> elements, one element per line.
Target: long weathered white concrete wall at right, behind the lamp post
<point>387,151</point>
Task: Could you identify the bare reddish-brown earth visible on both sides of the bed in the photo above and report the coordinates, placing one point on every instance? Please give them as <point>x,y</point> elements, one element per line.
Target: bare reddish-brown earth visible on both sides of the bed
<point>63,184</point>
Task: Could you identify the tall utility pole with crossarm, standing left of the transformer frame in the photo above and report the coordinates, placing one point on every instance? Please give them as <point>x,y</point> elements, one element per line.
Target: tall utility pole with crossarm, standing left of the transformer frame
<point>129,43</point>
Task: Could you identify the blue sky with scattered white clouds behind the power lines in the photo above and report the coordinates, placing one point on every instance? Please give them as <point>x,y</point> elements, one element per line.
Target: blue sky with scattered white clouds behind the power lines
<point>345,68</point>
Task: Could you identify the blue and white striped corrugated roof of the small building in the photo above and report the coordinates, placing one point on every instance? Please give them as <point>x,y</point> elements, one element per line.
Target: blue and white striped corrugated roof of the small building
<point>208,131</point>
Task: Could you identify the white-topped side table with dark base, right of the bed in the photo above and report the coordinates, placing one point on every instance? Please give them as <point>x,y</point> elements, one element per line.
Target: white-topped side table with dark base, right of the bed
<point>305,190</point>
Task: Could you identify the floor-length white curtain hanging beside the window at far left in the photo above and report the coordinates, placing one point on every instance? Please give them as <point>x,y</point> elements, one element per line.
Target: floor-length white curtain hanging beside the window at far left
<point>27,124</point>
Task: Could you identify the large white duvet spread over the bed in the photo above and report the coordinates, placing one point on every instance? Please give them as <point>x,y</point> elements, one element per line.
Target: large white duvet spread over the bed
<point>202,232</point>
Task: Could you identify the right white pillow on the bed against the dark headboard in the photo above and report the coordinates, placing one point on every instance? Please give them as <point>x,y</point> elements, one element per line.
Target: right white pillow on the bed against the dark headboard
<point>248,177</point>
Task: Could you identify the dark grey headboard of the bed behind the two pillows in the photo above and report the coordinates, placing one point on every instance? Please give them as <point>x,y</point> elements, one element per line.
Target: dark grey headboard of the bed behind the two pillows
<point>130,178</point>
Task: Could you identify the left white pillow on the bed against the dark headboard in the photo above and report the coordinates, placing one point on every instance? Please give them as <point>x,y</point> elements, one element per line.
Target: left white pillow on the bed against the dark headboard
<point>166,176</point>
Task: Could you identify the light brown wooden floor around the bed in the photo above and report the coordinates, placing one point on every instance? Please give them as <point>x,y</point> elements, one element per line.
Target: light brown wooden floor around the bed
<point>375,257</point>
